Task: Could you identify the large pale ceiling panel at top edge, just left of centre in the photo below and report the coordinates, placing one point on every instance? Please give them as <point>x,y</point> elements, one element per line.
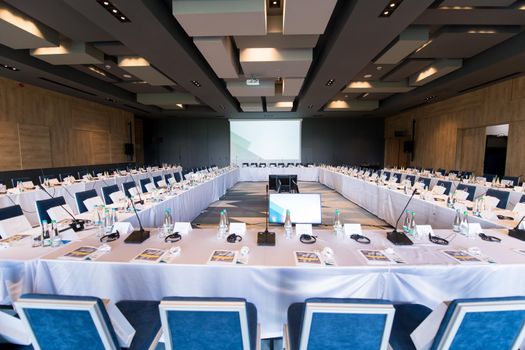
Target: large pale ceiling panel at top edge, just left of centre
<point>222,17</point>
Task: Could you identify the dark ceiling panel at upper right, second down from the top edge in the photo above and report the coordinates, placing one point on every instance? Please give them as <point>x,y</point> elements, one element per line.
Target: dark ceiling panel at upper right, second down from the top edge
<point>464,42</point>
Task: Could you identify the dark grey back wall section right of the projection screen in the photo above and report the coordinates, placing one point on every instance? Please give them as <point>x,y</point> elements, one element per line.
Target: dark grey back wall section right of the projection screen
<point>352,141</point>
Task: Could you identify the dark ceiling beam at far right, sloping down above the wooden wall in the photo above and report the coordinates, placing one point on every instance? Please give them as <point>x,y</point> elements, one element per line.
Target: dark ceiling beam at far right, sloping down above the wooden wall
<point>502,61</point>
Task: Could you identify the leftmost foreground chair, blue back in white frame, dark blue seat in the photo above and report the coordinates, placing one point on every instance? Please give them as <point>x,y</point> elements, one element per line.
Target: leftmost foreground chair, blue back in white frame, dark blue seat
<point>82,322</point>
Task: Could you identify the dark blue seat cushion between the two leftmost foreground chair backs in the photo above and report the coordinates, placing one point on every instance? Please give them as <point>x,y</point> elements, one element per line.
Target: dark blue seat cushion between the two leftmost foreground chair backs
<point>144,317</point>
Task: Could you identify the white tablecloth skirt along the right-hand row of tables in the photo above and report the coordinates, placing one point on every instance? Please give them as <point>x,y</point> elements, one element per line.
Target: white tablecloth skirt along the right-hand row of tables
<point>388,204</point>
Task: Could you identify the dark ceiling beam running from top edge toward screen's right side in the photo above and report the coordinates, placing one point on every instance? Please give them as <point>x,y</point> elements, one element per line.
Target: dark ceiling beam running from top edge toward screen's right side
<point>356,37</point>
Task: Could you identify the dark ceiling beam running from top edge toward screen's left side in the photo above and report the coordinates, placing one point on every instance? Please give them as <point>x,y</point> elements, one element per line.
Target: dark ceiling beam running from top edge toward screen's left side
<point>154,34</point>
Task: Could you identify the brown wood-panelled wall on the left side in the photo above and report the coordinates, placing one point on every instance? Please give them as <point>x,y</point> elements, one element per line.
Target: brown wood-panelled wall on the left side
<point>58,130</point>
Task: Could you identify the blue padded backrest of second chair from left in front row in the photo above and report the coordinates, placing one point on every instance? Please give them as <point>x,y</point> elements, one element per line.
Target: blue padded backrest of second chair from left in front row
<point>215,328</point>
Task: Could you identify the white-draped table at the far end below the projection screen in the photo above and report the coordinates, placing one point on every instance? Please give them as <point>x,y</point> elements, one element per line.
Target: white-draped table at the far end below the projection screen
<point>248,174</point>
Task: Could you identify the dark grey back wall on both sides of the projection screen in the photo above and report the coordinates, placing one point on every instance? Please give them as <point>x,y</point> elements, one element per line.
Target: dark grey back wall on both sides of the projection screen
<point>194,142</point>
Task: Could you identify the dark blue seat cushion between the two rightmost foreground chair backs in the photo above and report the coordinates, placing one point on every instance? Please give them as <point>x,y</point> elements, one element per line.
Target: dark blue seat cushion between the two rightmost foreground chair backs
<point>406,319</point>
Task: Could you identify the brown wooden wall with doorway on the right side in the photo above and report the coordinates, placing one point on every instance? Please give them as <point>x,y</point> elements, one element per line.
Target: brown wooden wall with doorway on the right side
<point>440,128</point>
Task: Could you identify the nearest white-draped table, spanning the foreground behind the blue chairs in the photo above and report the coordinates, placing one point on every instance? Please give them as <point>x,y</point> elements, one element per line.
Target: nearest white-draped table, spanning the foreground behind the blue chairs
<point>272,280</point>
